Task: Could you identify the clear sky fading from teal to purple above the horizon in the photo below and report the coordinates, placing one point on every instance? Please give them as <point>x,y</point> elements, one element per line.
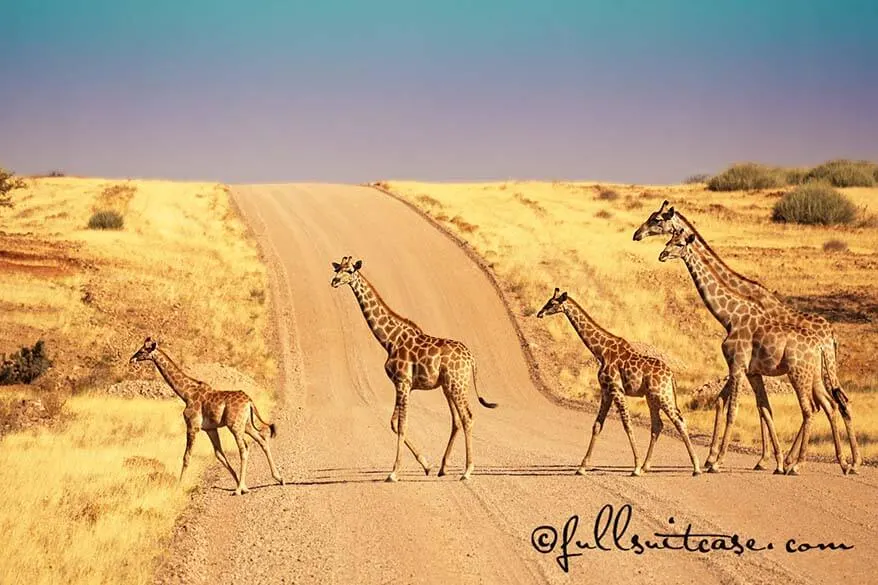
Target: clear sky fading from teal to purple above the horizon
<point>342,91</point>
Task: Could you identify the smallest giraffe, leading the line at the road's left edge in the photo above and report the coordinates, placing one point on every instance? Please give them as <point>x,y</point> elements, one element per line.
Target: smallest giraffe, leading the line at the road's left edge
<point>209,411</point>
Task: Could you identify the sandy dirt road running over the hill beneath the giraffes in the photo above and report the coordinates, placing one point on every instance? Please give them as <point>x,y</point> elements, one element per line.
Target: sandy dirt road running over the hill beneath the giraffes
<point>338,522</point>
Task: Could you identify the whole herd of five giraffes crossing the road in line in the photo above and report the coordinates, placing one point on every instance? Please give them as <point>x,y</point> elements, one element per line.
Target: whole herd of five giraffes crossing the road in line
<point>764,337</point>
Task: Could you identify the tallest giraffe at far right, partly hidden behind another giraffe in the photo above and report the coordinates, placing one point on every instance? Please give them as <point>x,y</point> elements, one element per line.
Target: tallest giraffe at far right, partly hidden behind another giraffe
<point>666,220</point>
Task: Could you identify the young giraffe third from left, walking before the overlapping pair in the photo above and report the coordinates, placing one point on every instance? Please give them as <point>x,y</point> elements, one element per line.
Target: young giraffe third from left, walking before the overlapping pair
<point>624,372</point>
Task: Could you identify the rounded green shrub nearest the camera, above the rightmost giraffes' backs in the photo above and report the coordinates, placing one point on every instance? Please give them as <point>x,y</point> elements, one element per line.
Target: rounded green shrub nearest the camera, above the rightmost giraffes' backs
<point>814,203</point>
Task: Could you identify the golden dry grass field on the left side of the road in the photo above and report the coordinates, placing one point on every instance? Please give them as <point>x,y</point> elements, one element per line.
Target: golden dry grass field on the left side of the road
<point>94,494</point>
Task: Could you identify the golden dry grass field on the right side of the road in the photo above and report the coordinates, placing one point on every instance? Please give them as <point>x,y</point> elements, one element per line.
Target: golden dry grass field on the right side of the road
<point>577,245</point>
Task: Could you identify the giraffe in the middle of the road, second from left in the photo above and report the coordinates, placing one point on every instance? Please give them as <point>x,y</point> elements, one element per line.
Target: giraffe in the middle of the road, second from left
<point>415,361</point>
